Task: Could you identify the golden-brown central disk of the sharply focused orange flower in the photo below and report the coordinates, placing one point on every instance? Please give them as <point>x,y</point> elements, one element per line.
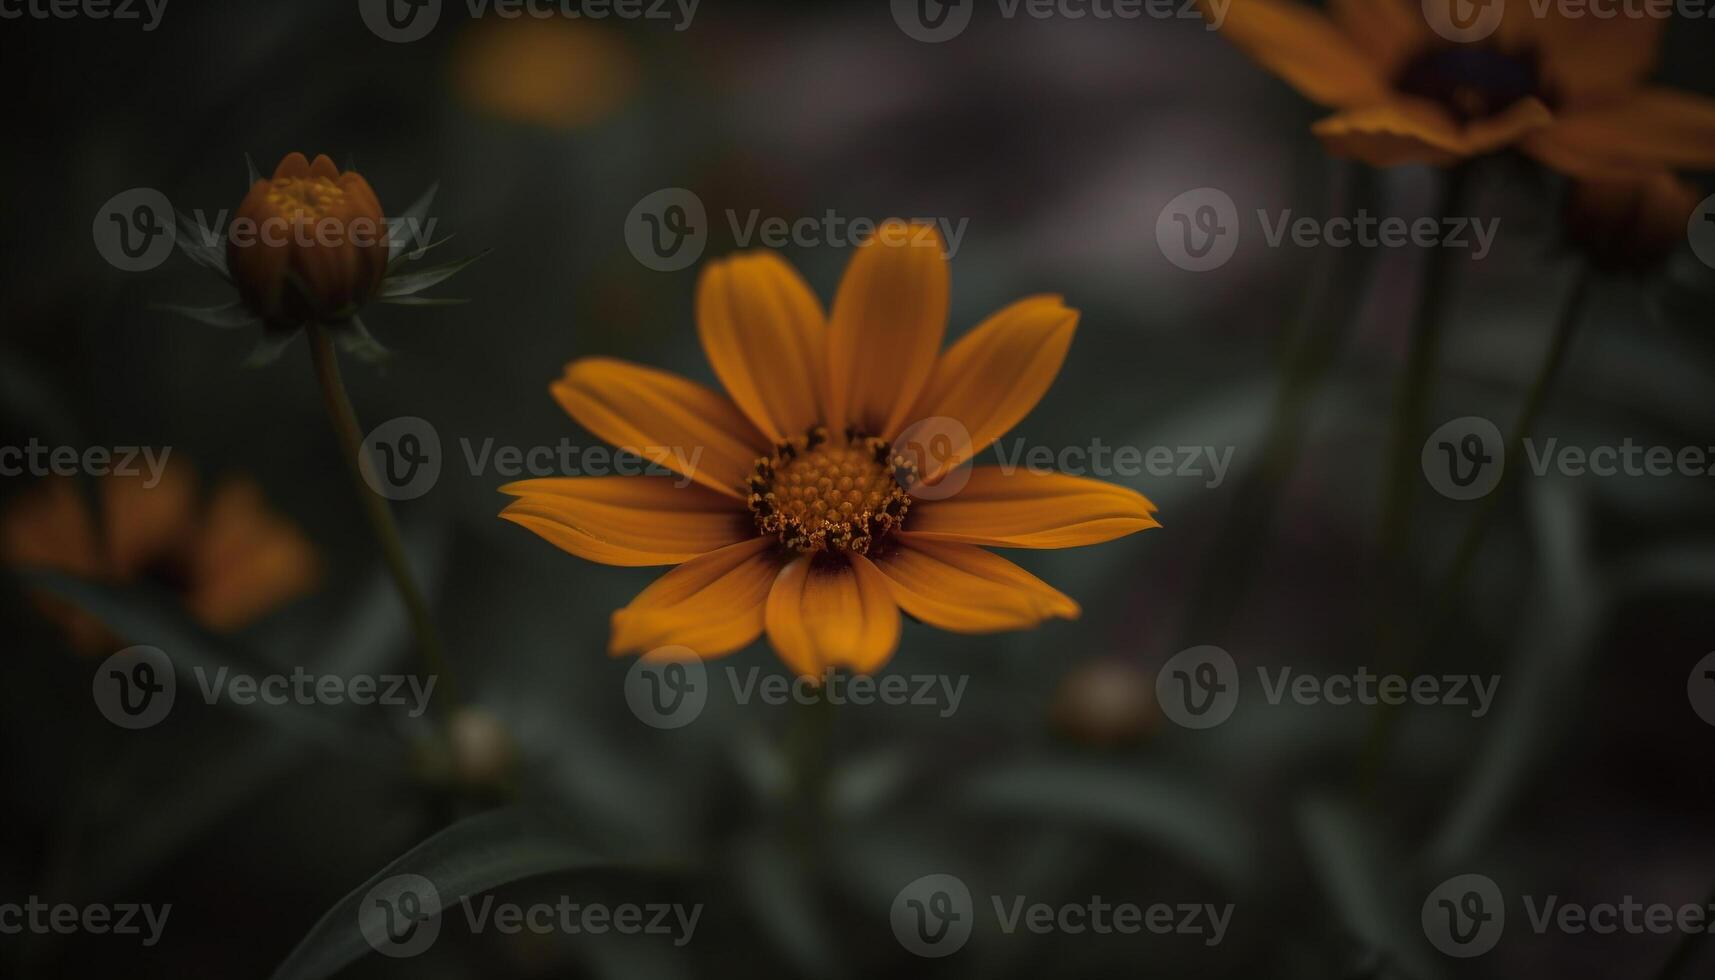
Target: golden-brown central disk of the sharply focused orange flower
<point>831,495</point>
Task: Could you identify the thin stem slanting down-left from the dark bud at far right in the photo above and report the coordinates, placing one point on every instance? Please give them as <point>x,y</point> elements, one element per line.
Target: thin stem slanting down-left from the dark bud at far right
<point>1472,541</point>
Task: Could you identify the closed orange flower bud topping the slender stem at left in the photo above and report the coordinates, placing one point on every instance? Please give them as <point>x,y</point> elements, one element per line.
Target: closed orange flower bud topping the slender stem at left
<point>308,245</point>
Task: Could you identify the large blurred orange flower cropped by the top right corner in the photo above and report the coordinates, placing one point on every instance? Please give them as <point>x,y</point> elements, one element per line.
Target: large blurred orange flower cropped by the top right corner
<point>1568,92</point>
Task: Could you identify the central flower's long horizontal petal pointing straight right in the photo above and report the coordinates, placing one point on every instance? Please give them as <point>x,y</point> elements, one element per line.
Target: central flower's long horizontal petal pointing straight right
<point>1032,511</point>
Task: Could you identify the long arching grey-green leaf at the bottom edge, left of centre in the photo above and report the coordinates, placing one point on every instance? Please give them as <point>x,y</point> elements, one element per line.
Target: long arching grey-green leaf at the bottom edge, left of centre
<point>464,861</point>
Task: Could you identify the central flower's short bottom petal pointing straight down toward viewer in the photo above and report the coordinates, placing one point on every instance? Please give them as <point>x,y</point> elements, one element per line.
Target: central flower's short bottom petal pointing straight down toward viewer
<point>833,612</point>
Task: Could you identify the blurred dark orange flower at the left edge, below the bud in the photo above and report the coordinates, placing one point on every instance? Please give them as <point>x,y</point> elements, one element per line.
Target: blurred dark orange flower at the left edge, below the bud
<point>231,564</point>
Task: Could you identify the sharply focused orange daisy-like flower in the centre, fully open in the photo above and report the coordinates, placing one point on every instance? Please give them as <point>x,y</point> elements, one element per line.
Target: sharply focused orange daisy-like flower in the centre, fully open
<point>797,514</point>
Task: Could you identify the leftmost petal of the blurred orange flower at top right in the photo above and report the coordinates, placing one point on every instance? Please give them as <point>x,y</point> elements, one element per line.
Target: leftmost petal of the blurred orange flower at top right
<point>1306,49</point>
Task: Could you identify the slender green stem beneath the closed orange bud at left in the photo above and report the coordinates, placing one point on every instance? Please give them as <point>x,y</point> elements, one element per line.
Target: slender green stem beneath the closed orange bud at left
<point>380,516</point>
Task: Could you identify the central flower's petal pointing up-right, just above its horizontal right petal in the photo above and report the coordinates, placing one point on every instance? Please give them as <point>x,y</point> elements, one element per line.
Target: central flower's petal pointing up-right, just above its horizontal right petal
<point>996,375</point>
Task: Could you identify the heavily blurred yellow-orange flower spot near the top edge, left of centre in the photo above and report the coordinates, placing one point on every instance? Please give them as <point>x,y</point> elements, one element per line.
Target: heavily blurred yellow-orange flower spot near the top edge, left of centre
<point>553,73</point>
